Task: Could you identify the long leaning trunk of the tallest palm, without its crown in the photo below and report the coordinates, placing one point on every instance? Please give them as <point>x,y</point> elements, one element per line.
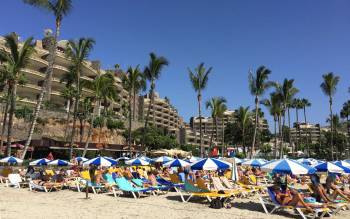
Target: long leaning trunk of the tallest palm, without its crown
<point>47,81</point>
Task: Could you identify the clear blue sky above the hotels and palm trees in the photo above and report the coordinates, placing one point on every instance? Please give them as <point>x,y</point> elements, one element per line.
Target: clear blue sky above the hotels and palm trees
<point>294,38</point>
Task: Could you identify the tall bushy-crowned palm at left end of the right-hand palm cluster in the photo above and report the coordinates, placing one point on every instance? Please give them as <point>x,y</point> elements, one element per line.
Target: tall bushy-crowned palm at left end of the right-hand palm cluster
<point>258,84</point>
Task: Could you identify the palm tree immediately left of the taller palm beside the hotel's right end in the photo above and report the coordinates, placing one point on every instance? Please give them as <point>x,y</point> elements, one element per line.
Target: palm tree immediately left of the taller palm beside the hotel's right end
<point>133,81</point>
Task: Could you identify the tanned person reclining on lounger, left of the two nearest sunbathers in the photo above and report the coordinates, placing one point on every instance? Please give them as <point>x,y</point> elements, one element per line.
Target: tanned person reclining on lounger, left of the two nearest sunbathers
<point>292,198</point>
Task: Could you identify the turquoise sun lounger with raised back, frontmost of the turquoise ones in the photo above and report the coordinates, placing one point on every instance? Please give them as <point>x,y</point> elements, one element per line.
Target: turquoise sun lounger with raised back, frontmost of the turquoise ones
<point>126,187</point>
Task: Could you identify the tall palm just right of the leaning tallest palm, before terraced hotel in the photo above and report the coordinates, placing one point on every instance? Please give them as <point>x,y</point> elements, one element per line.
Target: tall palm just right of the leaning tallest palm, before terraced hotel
<point>77,51</point>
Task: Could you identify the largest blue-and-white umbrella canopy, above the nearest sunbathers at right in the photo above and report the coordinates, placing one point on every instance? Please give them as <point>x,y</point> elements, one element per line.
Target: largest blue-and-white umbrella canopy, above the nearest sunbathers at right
<point>287,166</point>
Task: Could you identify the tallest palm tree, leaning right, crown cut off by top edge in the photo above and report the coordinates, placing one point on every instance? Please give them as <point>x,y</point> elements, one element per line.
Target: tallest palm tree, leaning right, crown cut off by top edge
<point>60,9</point>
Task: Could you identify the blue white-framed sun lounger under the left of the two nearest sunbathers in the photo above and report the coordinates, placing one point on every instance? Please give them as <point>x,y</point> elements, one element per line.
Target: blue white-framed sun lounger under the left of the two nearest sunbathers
<point>271,200</point>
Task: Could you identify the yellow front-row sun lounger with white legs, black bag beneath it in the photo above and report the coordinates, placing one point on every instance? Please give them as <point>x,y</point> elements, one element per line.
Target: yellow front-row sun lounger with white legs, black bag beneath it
<point>193,190</point>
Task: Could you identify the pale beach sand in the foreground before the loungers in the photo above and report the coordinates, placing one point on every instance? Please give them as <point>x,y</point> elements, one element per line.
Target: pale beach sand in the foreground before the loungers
<point>22,203</point>
